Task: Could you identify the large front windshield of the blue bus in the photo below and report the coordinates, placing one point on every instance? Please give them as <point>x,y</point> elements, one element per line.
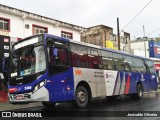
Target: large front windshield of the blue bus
<point>28,61</point>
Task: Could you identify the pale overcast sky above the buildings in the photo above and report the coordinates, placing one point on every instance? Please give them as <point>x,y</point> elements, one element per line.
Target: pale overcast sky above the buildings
<point>87,13</point>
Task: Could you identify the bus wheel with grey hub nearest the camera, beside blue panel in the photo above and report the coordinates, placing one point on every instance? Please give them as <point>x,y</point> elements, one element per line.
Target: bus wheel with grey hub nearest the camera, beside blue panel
<point>81,97</point>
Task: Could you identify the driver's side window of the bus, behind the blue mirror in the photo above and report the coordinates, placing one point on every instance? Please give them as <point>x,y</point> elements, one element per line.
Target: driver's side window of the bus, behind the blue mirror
<point>58,56</point>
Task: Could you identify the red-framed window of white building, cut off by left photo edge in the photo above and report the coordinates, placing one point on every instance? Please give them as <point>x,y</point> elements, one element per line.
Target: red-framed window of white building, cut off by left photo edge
<point>4,24</point>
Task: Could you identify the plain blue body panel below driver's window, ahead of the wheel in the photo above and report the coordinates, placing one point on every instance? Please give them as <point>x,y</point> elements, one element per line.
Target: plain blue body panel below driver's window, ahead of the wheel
<point>61,87</point>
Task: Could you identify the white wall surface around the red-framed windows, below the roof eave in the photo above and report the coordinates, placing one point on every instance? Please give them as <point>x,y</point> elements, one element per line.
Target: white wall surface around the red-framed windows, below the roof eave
<point>18,30</point>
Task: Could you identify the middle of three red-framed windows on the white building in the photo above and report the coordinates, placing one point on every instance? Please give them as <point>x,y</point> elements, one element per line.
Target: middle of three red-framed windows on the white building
<point>39,29</point>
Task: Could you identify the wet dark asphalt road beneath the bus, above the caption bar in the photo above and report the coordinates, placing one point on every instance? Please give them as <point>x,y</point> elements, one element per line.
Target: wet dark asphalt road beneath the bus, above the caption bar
<point>150,102</point>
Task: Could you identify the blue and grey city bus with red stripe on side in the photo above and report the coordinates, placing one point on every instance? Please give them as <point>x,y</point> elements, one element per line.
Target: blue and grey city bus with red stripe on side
<point>52,69</point>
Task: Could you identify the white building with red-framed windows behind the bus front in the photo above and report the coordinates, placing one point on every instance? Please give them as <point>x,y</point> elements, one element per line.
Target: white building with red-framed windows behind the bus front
<point>19,24</point>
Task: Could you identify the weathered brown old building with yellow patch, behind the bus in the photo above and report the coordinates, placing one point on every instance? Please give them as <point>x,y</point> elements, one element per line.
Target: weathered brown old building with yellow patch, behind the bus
<point>103,36</point>
